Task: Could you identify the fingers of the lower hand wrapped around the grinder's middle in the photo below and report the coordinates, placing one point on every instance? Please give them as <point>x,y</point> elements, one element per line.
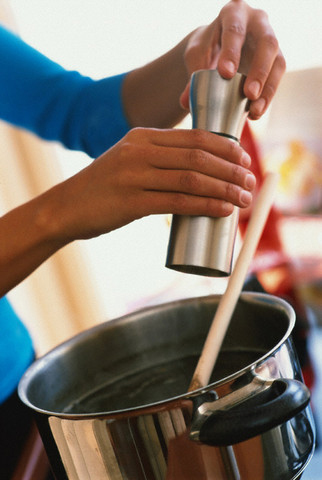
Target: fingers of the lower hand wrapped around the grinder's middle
<point>190,162</point>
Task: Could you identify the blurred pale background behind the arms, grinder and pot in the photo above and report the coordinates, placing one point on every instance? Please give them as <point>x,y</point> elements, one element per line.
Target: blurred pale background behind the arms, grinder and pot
<point>89,282</point>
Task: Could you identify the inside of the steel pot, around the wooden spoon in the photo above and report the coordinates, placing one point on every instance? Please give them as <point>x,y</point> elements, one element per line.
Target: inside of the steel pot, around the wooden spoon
<point>150,356</point>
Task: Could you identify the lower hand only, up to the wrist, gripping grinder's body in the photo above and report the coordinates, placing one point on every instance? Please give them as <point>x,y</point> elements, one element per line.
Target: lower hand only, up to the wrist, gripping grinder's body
<point>153,171</point>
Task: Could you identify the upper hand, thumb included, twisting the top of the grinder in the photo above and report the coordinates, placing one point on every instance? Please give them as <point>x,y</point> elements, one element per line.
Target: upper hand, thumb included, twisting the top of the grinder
<point>240,39</point>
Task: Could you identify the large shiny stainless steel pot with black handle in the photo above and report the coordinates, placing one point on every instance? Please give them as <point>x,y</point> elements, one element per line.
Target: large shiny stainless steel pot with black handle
<point>111,403</point>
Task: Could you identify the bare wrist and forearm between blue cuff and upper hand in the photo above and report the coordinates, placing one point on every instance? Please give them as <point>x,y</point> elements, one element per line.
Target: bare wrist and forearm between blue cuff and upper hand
<point>151,93</point>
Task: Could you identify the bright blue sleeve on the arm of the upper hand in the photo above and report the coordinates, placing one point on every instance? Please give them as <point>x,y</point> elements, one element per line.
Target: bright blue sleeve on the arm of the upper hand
<point>39,95</point>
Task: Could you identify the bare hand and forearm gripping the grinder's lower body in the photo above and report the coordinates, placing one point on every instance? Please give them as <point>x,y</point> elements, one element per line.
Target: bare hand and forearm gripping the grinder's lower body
<point>149,171</point>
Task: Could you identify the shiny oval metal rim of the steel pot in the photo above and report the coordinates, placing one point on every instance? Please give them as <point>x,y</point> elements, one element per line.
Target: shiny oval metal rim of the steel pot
<point>59,350</point>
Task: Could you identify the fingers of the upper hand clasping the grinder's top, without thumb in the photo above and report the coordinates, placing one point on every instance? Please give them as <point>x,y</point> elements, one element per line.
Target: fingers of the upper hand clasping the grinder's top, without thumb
<point>248,44</point>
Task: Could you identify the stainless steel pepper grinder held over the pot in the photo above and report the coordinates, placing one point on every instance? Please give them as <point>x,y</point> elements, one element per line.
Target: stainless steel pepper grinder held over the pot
<point>198,244</point>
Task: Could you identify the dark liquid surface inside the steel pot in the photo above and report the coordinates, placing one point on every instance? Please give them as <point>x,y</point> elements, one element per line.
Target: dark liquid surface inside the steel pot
<point>156,383</point>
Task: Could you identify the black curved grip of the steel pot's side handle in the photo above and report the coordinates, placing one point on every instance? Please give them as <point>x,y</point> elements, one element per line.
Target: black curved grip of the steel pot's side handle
<point>277,404</point>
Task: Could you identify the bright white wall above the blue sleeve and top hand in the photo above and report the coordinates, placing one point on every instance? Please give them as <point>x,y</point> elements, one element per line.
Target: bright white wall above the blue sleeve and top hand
<point>106,36</point>
